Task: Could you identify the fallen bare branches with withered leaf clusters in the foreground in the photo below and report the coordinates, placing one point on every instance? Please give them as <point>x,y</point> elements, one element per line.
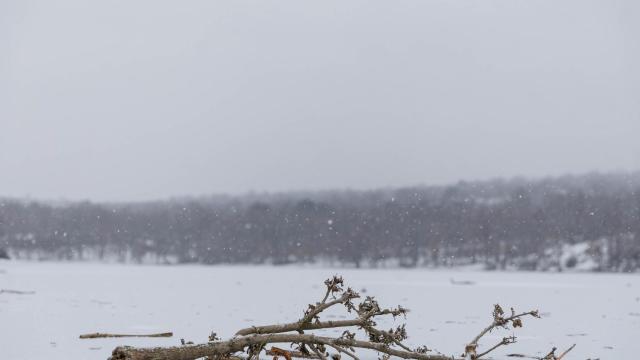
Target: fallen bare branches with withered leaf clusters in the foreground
<point>250,343</point>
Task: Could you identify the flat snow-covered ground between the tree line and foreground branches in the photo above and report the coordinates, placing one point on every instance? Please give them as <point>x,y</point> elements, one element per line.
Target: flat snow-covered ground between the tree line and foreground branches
<point>598,312</point>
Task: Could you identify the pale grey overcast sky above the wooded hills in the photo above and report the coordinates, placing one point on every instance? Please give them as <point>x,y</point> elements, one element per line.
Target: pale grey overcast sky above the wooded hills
<point>134,100</point>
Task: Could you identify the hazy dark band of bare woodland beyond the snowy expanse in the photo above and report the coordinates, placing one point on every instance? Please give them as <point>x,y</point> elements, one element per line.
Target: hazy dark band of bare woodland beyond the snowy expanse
<point>501,224</point>
